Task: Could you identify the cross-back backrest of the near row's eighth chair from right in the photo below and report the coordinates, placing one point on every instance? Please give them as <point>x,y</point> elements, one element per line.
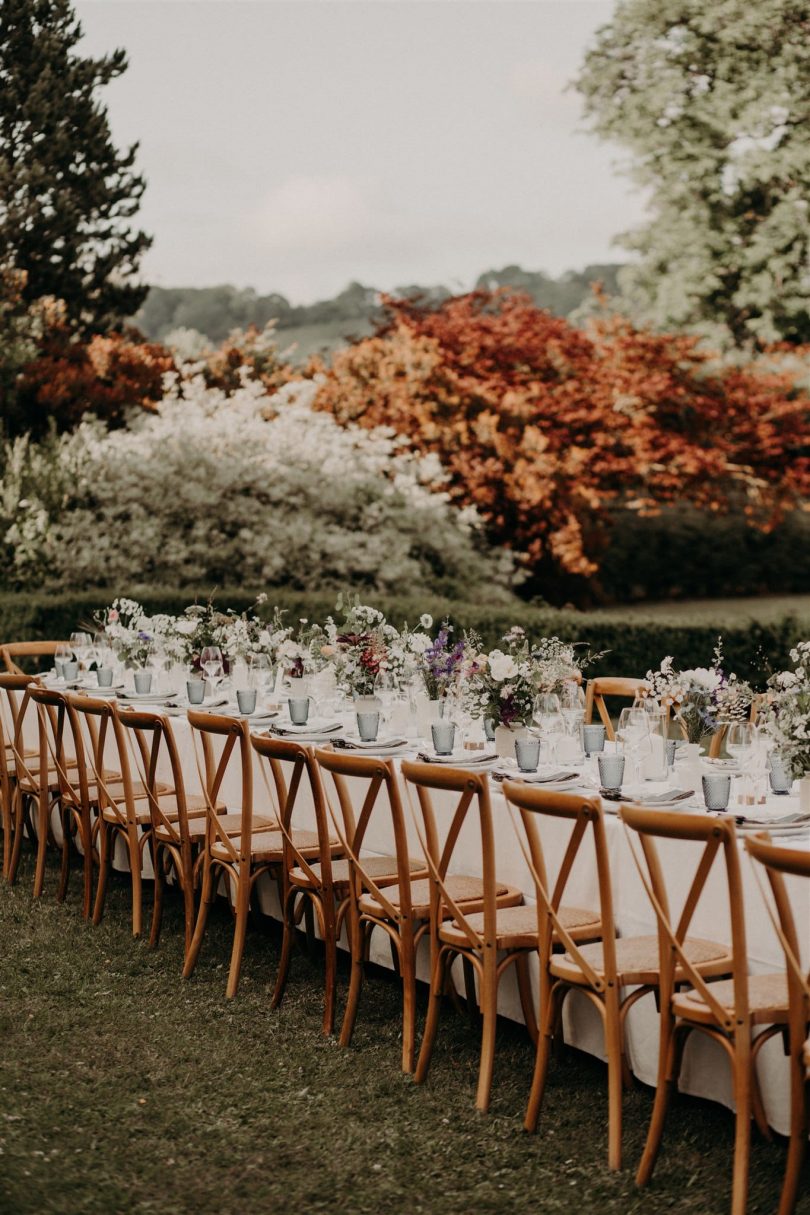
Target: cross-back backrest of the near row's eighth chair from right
<point>146,738</point>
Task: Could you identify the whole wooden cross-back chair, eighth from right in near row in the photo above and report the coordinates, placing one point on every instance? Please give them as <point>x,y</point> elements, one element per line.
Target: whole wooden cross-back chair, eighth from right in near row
<point>178,820</point>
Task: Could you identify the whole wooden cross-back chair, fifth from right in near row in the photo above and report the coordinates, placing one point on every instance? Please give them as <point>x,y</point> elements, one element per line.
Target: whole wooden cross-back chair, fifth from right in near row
<point>386,891</point>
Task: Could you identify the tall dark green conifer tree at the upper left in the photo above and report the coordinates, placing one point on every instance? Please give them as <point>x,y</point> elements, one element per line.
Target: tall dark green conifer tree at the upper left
<point>67,195</point>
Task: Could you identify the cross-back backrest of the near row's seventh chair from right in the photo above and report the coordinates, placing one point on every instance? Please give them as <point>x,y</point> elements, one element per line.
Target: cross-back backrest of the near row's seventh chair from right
<point>236,739</point>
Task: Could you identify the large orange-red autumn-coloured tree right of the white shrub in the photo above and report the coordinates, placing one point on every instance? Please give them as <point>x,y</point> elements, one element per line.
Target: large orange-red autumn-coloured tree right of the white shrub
<point>550,430</point>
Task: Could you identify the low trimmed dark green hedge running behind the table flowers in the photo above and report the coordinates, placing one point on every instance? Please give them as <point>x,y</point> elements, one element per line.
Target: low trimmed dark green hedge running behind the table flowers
<point>636,645</point>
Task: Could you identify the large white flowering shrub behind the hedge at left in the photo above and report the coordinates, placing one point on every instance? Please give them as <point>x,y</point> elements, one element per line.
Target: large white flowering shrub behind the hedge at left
<point>216,489</point>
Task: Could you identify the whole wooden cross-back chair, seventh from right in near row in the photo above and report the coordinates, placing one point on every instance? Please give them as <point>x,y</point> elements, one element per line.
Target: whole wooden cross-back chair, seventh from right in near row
<point>240,845</point>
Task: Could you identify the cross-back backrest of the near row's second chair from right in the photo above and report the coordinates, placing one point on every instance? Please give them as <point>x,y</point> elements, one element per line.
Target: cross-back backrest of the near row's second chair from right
<point>720,839</point>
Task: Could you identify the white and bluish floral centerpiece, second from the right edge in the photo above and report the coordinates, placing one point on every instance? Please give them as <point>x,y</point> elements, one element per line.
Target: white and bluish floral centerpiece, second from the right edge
<point>704,699</point>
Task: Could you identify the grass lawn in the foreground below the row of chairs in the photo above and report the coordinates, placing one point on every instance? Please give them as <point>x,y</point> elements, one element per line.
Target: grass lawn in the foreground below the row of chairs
<point>124,1089</point>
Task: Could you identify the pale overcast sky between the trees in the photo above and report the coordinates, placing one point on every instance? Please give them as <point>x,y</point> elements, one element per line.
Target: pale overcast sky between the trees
<point>297,145</point>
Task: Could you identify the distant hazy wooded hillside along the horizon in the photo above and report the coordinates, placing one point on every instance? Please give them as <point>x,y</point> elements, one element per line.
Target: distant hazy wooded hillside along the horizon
<point>310,329</point>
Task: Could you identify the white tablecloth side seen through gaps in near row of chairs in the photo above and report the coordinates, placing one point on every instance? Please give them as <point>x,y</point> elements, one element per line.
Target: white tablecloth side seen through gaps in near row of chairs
<point>706,1072</point>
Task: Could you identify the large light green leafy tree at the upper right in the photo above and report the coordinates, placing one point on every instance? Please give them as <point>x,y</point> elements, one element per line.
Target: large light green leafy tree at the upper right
<point>713,103</point>
